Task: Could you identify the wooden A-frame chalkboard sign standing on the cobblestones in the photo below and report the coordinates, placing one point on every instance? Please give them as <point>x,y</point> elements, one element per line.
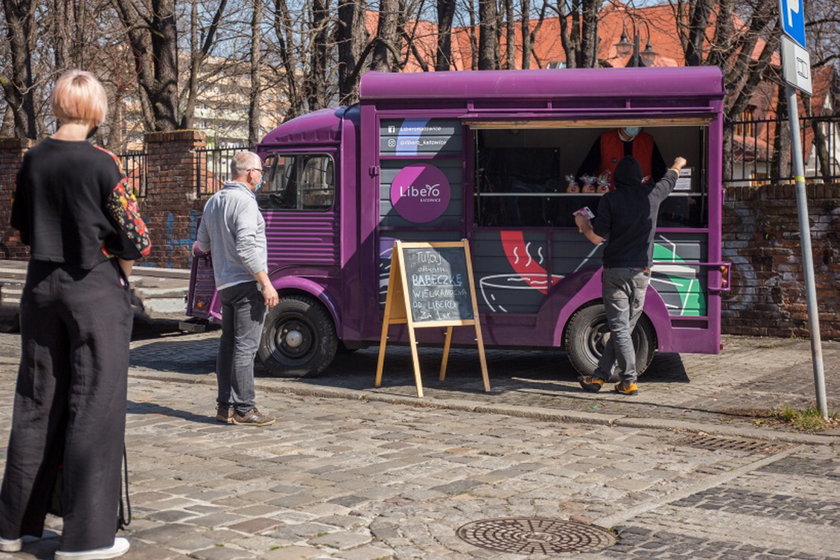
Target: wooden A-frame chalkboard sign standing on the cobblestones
<point>431,285</point>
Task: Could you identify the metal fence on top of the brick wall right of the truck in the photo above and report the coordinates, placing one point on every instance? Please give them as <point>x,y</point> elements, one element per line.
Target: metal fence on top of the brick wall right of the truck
<point>757,144</point>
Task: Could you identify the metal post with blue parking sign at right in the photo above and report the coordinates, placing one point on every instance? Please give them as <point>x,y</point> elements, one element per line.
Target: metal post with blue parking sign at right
<point>796,68</point>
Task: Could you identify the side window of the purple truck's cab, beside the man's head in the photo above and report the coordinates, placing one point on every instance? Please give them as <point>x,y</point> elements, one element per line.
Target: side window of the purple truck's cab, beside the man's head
<point>298,182</point>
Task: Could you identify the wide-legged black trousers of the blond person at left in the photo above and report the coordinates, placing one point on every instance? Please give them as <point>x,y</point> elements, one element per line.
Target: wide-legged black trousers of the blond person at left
<point>70,404</point>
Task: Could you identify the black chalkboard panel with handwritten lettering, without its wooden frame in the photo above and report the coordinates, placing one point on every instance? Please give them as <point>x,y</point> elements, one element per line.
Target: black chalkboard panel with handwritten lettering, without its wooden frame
<point>438,283</point>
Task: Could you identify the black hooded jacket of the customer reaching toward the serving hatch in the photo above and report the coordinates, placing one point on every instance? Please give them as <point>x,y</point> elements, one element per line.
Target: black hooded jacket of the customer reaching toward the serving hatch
<point>626,217</point>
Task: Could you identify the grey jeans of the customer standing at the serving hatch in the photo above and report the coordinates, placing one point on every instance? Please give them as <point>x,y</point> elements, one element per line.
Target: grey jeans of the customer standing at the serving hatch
<point>623,291</point>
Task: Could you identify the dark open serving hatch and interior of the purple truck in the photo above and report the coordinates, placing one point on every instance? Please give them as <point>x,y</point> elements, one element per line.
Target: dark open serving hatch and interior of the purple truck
<point>530,176</point>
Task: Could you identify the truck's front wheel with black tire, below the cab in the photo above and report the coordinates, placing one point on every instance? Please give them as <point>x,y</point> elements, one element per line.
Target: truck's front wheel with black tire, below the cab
<point>298,338</point>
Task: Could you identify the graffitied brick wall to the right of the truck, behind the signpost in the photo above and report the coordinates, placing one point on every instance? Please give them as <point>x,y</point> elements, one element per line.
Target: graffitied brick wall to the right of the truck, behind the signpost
<point>761,238</point>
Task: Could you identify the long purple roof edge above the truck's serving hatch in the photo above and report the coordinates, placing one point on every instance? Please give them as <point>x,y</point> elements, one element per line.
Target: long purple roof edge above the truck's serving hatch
<point>593,82</point>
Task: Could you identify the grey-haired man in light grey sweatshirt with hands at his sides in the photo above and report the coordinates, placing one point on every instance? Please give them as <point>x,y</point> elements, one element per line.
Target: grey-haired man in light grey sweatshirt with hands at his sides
<point>233,231</point>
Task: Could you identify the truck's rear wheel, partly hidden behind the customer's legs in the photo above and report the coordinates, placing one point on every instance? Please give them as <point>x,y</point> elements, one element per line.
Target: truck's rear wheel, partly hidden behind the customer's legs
<point>585,337</point>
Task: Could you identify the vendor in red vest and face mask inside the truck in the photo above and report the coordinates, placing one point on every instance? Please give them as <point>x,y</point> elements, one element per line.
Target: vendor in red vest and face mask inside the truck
<point>613,145</point>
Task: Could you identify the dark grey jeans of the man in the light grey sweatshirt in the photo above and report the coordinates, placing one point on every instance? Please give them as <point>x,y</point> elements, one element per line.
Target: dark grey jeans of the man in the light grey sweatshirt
<point>243,312</point>
